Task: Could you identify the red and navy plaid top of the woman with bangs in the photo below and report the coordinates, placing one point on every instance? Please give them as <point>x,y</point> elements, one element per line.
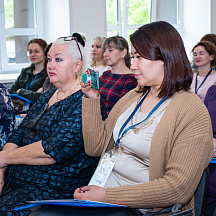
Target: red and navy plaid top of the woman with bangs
<point>115,86</point>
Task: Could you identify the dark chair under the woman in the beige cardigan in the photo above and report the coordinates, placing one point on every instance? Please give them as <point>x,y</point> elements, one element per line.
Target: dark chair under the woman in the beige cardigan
<point>199,201</point>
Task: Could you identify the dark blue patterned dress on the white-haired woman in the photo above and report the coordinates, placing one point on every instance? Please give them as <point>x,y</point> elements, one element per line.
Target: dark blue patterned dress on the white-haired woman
<point>60,129</point>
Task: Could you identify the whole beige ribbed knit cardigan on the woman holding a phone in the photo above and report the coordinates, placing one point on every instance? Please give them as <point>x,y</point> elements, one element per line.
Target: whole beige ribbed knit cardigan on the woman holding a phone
<point>181,149</point>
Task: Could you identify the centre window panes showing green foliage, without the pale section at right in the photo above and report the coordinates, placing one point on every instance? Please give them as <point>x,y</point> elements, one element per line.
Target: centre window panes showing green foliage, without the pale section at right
<point>125,16</point>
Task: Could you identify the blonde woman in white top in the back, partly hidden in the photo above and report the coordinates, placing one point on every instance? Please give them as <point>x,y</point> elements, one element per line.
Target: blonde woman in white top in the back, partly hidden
<point>97,61</point>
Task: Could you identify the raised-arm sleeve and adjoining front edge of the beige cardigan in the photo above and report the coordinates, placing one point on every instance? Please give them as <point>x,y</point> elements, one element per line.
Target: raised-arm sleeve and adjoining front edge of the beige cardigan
<point>98,134</point>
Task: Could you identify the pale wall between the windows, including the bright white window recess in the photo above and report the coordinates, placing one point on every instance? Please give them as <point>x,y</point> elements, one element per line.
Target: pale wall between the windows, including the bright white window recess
<point>63,18</point>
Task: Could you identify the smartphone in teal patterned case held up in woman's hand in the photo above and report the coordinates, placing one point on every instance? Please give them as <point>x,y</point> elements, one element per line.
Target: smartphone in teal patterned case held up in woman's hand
<point>93,77</point>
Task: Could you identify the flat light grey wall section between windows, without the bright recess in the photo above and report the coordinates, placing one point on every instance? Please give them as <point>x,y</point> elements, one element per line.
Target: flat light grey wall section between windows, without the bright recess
<point>88,17</point>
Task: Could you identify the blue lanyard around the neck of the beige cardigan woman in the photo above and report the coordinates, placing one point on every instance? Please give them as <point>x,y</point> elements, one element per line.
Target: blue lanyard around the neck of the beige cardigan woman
<point>121,134</point>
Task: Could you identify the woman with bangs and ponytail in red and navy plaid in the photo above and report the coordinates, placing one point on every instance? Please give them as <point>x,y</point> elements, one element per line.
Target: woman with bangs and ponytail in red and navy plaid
<point>116,83</point>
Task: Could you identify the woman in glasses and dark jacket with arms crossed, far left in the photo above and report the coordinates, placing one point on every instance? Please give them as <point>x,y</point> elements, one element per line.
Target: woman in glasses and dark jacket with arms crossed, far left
<point>32,78</point>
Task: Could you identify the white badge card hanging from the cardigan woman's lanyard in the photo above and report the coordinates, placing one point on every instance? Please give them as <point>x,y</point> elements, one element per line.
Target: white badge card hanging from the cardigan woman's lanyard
<point>104,169</point>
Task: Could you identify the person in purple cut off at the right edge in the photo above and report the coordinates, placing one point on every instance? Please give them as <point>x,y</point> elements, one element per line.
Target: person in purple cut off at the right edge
<point>210,102</point>
